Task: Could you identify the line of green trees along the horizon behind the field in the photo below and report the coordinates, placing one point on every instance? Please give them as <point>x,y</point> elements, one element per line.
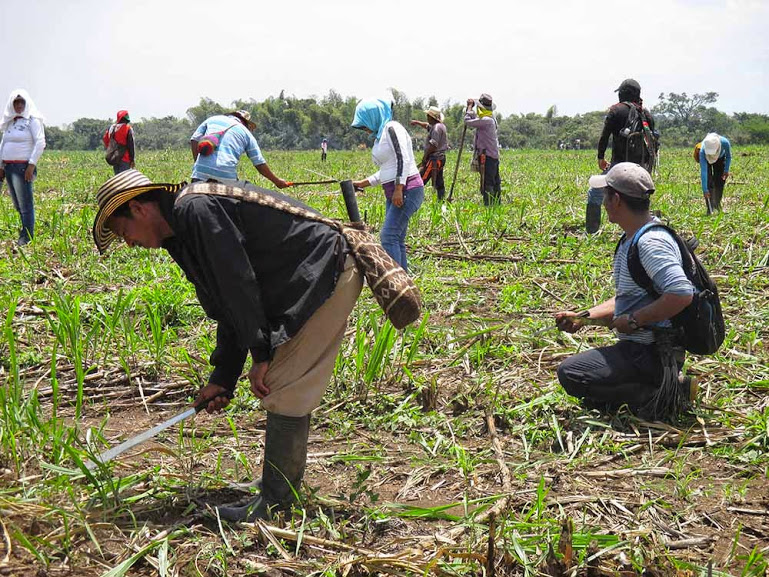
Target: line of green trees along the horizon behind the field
<point>290,123</point>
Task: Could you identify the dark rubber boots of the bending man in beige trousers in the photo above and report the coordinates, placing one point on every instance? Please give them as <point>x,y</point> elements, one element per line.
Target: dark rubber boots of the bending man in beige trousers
<point>285,457</point>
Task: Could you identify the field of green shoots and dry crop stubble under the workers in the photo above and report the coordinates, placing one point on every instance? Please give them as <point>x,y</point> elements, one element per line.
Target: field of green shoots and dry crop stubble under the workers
<point>445,449</point>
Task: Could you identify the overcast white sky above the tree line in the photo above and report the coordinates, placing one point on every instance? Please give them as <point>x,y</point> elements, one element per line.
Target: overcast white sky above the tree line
<point>89,58</point>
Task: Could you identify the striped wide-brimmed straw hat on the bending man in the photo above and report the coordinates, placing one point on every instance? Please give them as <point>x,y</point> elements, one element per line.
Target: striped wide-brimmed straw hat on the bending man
<point>117,191</point>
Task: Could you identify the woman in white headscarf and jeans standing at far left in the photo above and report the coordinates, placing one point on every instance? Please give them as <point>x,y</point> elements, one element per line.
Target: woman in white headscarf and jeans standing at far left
<point>20,149</point>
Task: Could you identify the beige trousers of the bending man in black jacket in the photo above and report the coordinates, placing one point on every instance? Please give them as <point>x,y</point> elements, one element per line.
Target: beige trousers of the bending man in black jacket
<point>302,368</point>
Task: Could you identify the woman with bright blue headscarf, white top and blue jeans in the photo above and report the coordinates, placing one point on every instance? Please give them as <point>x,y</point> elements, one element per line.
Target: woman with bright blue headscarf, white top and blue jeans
<point>398,173</point>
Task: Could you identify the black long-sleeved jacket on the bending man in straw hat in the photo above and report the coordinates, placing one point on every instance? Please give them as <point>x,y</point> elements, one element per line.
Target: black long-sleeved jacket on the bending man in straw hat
<point>259,272</point>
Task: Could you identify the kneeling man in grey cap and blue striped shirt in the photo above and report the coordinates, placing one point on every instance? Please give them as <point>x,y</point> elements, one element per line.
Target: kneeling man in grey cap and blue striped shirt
<point>644,365</point>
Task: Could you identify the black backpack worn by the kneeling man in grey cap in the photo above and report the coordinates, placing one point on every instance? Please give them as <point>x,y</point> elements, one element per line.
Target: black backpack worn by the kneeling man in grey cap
<point>701,324</point>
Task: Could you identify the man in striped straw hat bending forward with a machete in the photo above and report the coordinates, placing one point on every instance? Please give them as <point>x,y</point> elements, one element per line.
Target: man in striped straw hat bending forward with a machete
<point>280,287</point>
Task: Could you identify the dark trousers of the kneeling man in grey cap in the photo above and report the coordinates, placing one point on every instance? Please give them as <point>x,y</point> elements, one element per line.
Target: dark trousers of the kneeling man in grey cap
<point>624,373</point>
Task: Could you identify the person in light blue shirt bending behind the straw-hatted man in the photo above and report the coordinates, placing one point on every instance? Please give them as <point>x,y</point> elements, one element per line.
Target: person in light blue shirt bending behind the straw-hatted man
<point>233,132</point>
